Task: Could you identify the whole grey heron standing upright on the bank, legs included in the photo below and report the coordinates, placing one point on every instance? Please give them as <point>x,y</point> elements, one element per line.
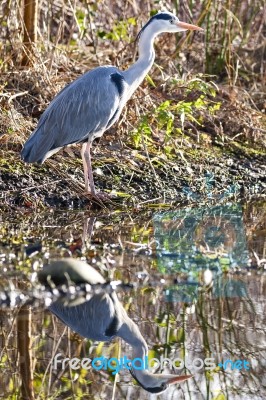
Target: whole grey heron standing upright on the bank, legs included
<point>91,104</point>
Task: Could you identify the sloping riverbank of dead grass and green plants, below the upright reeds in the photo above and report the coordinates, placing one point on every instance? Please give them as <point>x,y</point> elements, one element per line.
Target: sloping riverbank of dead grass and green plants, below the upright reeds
<point>217,151</point>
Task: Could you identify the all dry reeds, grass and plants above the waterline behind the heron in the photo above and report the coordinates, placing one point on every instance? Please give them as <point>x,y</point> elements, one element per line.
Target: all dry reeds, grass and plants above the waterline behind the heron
<point>200,112</point>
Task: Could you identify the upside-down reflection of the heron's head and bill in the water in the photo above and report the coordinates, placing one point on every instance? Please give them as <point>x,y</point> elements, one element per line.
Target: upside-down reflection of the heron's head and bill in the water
<point>156,383</point>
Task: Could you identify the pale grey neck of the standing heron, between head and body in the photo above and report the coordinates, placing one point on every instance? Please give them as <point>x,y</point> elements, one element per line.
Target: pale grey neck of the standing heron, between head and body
<point>135,74</point>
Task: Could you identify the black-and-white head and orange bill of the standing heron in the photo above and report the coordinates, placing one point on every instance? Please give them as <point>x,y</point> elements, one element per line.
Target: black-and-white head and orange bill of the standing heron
<point>165,21</point>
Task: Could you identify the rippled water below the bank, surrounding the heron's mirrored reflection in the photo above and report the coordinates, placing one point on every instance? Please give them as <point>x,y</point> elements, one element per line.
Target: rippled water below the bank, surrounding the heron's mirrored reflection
<point>198,291</point>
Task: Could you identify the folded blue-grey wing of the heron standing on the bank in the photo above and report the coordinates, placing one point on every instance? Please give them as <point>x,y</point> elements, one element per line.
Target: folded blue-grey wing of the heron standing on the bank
<point>78,112</point>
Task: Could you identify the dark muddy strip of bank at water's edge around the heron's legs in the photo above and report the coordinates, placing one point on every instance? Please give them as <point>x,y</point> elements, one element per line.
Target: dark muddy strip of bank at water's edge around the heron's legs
<point>188,178</point>
